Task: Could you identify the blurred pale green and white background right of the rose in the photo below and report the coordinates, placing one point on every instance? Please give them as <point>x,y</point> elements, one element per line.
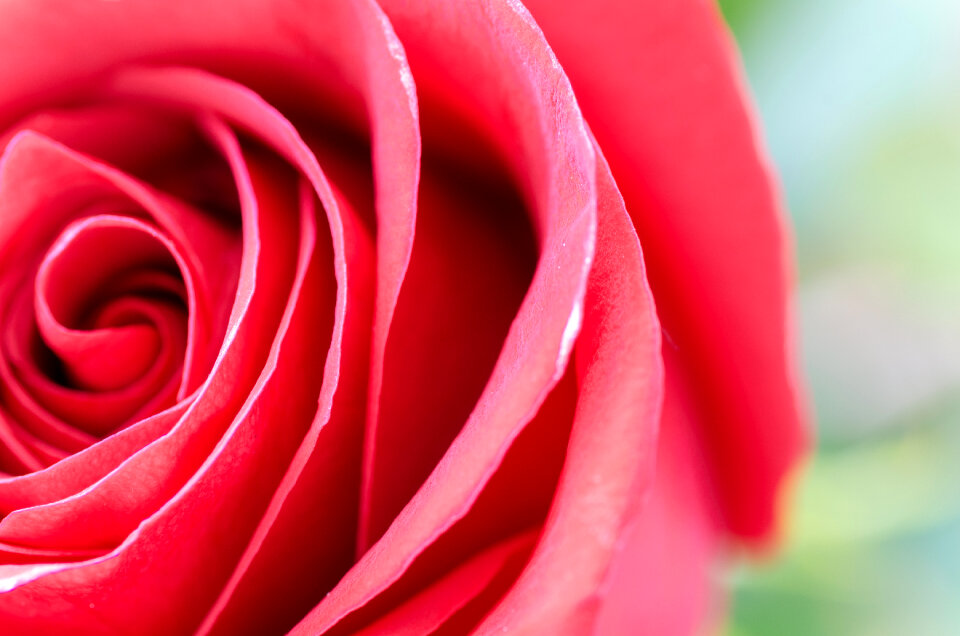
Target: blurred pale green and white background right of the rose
<point>860,104</point>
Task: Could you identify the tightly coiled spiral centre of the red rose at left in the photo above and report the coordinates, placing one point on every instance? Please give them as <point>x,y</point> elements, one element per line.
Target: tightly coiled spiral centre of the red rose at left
<point>152,387</point>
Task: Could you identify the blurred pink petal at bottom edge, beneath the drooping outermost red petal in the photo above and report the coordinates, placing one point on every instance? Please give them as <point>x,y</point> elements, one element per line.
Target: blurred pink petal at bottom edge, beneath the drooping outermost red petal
<point>673,539</point>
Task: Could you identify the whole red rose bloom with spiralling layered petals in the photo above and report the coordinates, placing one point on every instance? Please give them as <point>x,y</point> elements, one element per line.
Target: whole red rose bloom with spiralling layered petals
<point>331,316</point>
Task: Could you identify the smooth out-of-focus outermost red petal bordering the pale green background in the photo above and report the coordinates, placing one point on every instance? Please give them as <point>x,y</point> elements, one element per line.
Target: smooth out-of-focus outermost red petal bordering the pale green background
<point>657,82</point>
